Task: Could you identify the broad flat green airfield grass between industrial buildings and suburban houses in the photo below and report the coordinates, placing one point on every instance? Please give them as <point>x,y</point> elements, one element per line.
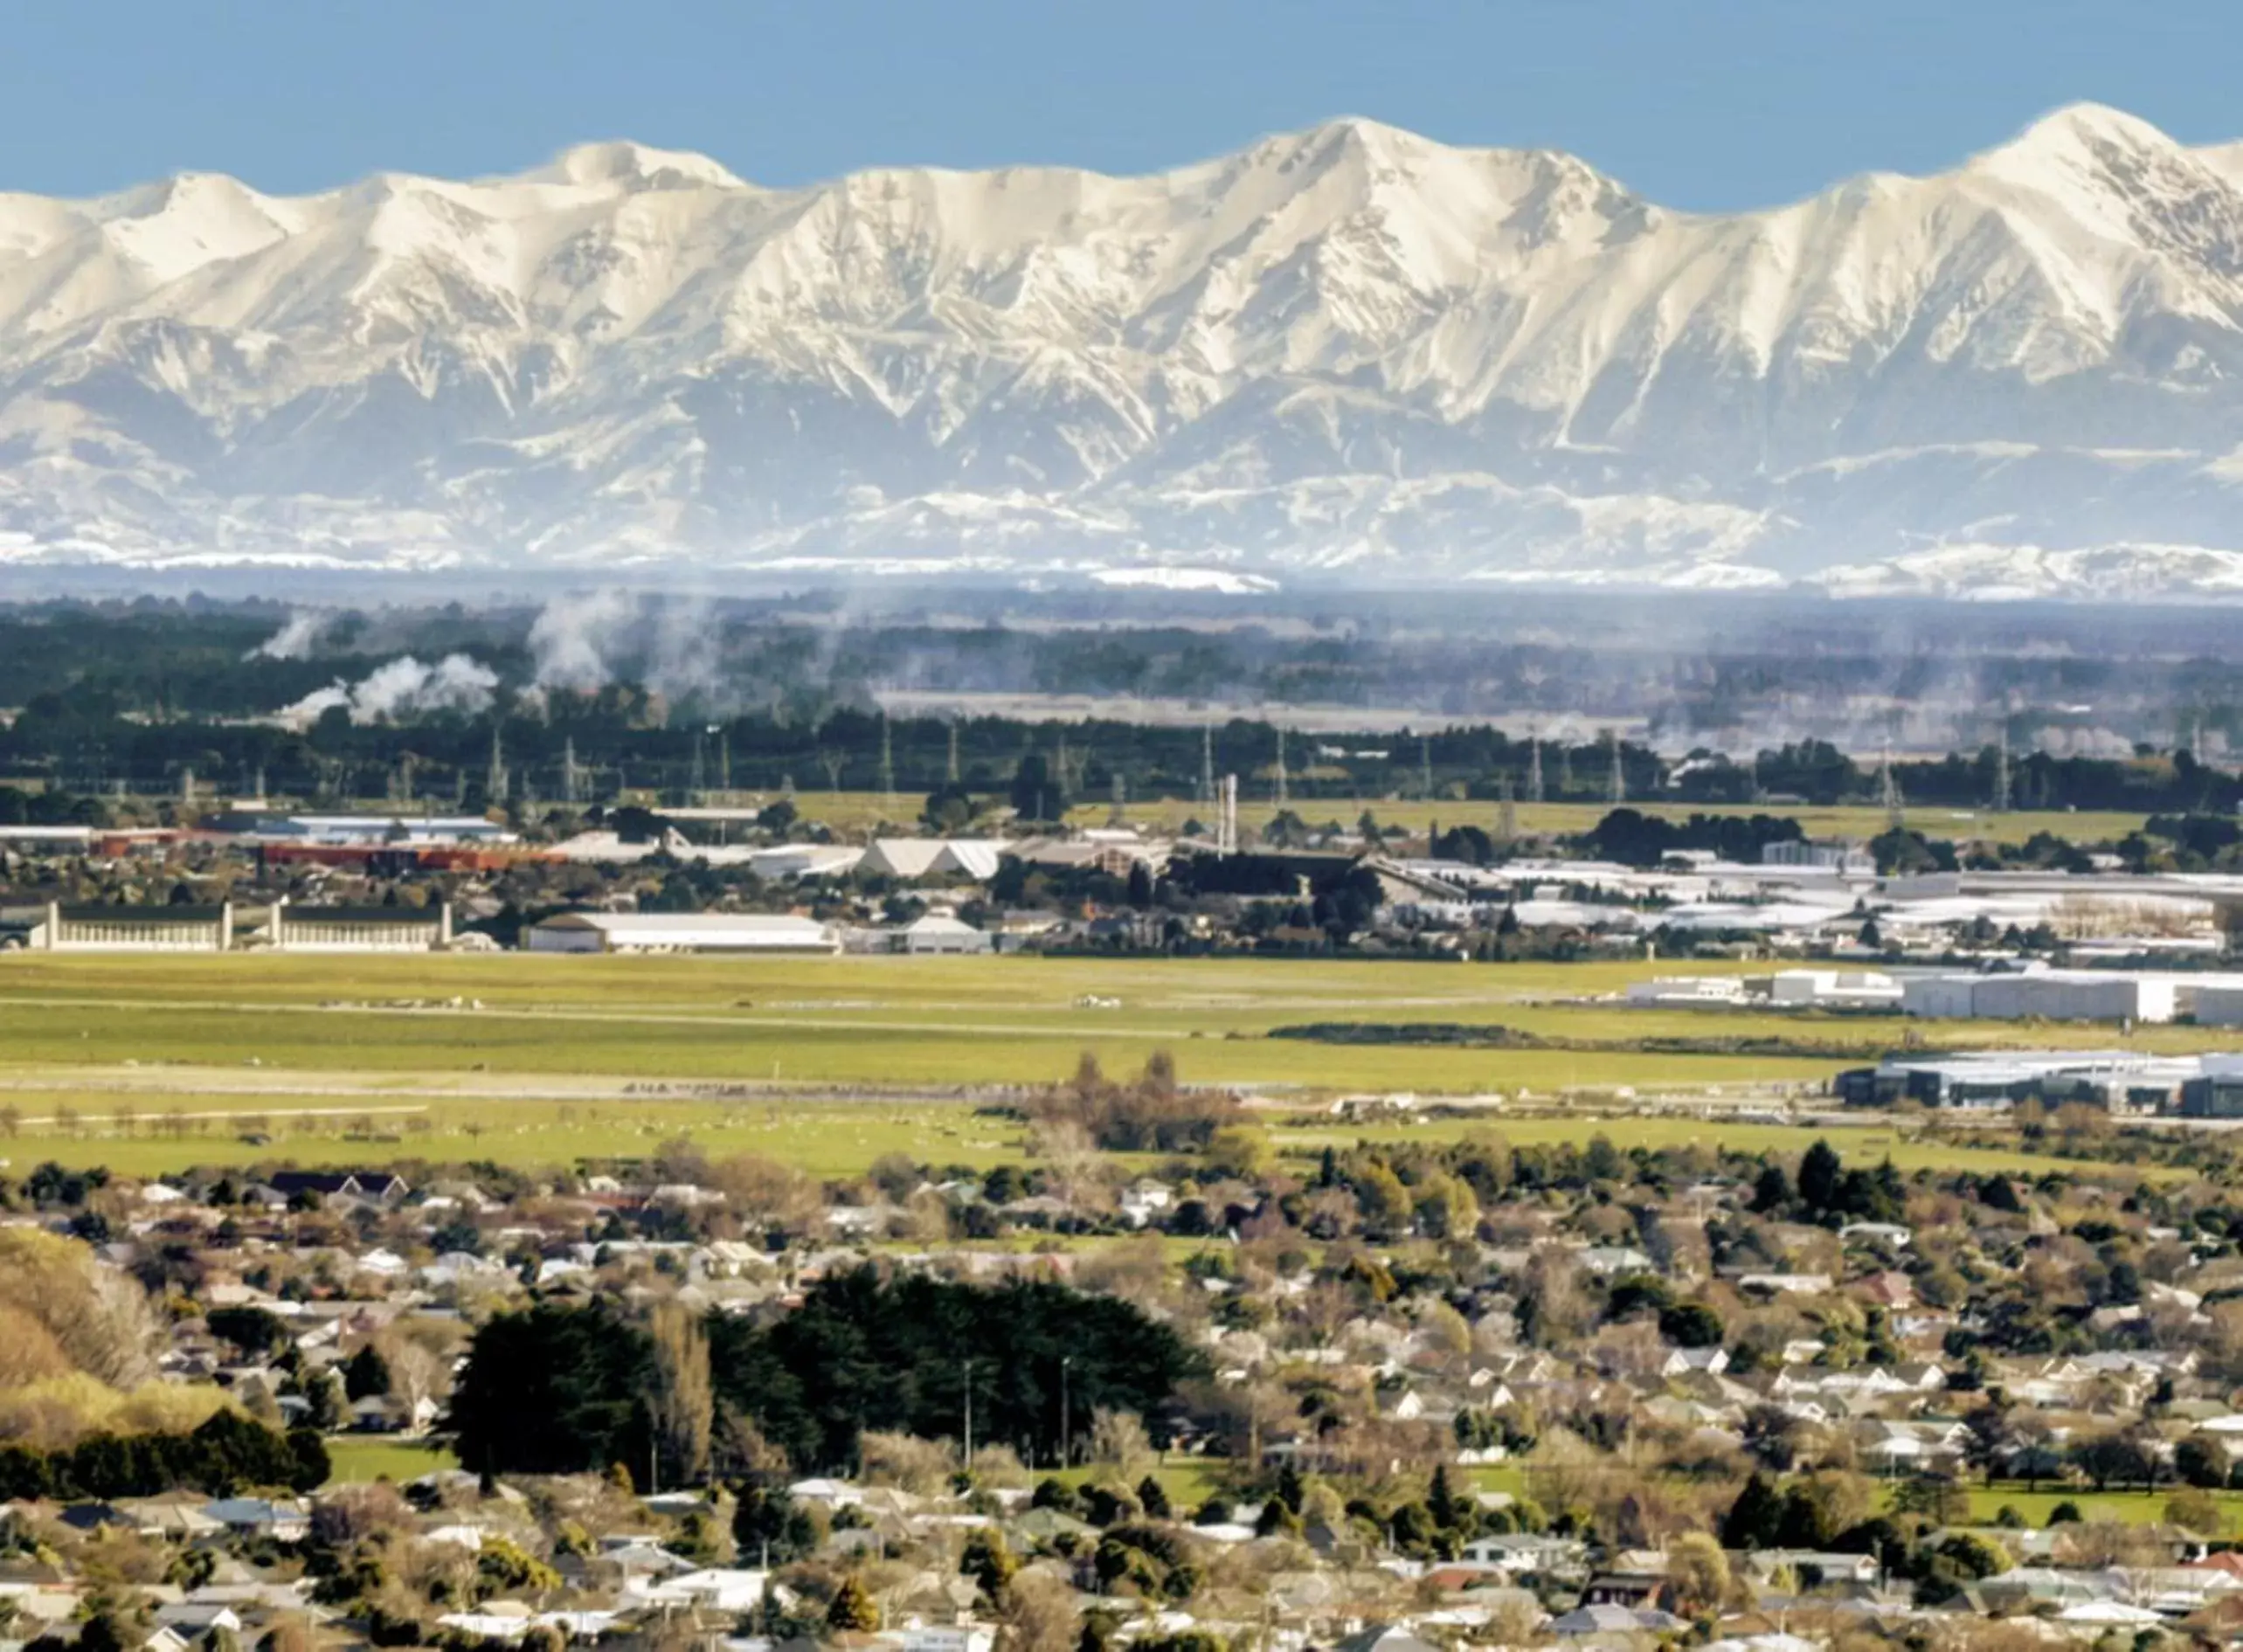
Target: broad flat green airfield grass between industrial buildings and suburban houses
<point>149,1064</point>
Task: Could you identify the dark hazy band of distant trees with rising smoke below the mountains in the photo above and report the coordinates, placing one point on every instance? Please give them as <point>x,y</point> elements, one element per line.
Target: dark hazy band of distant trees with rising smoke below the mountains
<point>145,694</point>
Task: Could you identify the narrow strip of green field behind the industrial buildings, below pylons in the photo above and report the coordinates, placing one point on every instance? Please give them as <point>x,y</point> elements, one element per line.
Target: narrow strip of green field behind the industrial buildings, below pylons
<point>858,813</point>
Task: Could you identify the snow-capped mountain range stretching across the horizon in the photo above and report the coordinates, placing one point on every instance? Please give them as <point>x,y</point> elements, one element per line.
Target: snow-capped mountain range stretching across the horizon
<point>1345,353</point>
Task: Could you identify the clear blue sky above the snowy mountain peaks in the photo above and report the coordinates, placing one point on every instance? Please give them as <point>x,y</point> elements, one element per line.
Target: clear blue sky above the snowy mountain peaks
<point>1699,104</point>
